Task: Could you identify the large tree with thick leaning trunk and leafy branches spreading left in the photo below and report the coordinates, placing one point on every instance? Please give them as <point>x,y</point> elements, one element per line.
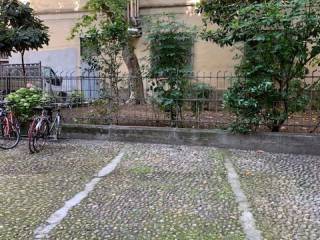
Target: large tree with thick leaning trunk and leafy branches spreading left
<point>105,25</point>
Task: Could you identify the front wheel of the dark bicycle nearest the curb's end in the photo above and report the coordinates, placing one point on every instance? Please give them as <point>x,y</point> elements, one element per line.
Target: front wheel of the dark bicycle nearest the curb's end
<point>40,139</point>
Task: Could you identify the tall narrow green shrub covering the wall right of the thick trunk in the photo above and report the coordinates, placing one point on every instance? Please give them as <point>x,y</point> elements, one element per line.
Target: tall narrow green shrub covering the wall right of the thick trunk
<point>170,45</point>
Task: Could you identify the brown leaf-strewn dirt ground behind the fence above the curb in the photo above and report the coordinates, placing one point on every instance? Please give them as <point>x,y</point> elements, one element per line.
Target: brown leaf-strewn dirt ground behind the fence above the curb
<point>149,115</point>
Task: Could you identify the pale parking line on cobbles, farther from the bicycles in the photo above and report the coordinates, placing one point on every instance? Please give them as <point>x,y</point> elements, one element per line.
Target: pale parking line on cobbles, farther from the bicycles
<point>247,219</point>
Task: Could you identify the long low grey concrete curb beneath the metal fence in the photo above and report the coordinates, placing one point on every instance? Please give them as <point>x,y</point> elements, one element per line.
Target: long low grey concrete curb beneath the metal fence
<point>270,142</point>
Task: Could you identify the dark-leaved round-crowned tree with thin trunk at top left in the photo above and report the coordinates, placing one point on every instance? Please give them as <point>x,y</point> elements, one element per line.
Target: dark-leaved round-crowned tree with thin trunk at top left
<point>22,29</point>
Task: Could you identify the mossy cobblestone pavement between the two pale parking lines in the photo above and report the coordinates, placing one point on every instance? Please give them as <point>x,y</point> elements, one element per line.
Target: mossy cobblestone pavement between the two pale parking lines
<point>159,192</point>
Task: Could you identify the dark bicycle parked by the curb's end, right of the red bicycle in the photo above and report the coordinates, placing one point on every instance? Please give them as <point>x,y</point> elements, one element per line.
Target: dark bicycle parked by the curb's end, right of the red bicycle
<point>43,127</point>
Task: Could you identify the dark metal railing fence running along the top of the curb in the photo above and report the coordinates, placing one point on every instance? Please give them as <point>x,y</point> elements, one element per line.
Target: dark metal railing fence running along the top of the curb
<point>91,99</point>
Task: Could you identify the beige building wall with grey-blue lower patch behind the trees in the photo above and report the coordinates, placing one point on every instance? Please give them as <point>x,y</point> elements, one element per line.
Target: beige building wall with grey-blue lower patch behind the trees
<point>60,16</point>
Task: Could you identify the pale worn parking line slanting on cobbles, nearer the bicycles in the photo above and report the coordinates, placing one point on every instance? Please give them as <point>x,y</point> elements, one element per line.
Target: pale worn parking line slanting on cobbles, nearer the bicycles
<point>56,218</point>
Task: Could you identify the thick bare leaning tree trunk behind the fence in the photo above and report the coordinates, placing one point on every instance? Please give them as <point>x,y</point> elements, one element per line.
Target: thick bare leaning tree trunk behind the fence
<point>135,76</point>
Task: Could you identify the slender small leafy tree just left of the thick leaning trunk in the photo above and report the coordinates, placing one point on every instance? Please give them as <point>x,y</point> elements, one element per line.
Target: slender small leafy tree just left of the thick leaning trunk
<point>102,50</point>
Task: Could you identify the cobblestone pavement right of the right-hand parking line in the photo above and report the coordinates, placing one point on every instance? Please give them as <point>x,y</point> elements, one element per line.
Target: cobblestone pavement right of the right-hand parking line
<point>284,192</point>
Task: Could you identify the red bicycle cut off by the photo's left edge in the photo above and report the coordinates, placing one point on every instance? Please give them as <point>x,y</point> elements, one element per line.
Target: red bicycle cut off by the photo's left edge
<point>9,128</point>
